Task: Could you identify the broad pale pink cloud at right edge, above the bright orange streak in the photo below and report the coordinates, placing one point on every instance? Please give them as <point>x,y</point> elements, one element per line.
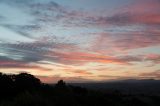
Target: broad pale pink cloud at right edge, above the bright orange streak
<point>122,41</point>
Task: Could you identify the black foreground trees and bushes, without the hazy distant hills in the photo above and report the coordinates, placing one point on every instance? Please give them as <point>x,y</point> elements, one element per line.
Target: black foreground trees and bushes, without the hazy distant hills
<point>26,90</point>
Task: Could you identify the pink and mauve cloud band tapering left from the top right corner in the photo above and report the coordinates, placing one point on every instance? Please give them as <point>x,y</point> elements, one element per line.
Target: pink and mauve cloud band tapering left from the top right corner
<point>144,12</point>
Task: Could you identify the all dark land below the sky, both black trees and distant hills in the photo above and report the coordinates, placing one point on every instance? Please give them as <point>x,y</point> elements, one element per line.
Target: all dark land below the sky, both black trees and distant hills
<point>26,90</point>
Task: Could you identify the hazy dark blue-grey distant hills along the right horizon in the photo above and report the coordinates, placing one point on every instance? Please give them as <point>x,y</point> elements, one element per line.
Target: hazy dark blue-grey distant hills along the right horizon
<point>133,86</point>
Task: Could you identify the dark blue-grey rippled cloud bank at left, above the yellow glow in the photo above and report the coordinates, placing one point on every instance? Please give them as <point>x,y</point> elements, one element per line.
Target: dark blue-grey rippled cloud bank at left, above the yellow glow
<point>35,51</point>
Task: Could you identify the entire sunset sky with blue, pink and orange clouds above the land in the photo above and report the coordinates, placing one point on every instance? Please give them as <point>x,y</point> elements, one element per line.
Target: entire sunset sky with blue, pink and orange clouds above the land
<point>81,40</point>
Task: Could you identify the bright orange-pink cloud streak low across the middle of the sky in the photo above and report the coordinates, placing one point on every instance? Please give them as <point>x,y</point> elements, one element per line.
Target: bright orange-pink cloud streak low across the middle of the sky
<point>85,57</point>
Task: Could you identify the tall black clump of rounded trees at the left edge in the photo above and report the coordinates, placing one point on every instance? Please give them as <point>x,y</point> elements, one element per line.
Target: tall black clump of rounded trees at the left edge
<point>11,85</point>
